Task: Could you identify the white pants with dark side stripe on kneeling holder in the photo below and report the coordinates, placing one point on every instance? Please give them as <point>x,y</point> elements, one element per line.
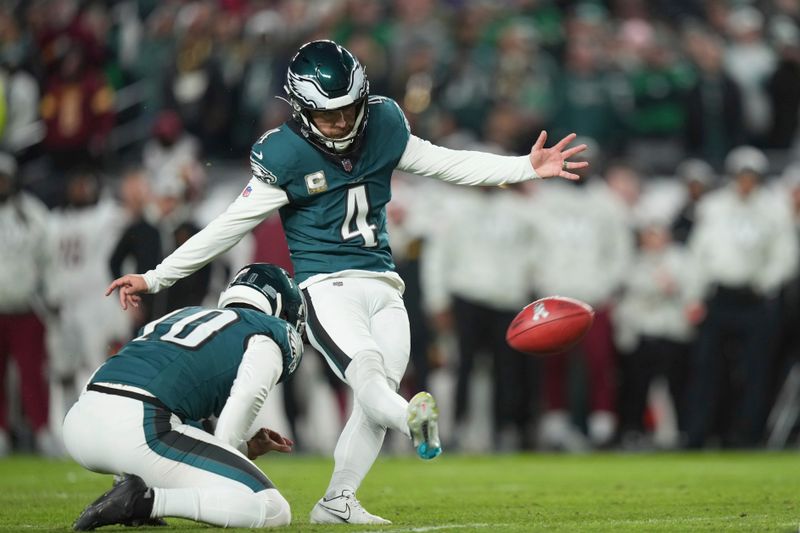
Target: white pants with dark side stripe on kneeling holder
<point>194,475</point>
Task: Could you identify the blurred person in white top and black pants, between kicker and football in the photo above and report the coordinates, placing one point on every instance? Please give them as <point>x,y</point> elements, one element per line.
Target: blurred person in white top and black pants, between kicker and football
<point>467,293</point>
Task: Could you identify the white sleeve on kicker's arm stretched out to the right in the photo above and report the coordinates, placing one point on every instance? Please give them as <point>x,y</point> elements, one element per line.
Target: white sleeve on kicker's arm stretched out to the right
<point>464,167</point>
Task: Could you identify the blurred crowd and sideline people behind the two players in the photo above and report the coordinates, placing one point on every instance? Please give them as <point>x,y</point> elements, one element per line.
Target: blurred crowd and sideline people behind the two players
<point>125,127</point>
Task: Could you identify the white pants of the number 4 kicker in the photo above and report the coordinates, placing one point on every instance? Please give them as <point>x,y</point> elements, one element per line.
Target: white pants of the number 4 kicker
<point>360,325</point>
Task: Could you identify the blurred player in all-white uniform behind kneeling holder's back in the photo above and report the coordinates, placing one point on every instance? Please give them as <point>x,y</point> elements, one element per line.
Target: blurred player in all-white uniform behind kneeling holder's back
<point>81,334</point>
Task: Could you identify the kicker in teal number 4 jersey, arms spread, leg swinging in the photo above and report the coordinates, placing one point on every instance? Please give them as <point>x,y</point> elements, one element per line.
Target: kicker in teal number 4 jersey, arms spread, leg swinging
<point>328,172</point>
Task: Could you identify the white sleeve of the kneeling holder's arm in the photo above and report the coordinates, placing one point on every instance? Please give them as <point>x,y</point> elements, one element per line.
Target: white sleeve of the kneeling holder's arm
<point>259,371</point>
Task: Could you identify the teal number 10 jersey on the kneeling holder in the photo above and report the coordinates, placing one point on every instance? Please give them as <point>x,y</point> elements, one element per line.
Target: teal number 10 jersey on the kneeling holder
<point>188,359</point>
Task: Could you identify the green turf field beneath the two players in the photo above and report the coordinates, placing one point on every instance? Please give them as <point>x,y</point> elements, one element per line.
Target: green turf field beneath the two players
<point>700,492</point>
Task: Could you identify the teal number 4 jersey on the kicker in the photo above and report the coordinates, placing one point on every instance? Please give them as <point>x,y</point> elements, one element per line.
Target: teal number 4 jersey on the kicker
<point>336,216</point>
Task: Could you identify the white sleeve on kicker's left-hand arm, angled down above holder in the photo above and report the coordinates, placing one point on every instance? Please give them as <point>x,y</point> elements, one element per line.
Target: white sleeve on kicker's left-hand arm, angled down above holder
<point>256,202</point>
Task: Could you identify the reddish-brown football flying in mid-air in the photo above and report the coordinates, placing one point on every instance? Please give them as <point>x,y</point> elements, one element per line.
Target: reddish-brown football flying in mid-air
<point>550,325</point>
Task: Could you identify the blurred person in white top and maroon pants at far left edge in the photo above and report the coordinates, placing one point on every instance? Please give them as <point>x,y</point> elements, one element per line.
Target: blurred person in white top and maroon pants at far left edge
<point>23,239</point>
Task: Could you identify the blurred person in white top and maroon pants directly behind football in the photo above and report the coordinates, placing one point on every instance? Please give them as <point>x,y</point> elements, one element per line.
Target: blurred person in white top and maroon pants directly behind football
<point>584,229</point>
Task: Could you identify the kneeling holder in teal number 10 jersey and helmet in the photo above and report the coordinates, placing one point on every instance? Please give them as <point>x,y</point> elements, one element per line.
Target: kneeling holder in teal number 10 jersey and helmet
<point>131,419</point>
